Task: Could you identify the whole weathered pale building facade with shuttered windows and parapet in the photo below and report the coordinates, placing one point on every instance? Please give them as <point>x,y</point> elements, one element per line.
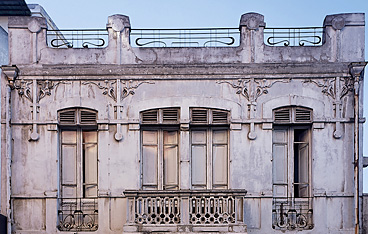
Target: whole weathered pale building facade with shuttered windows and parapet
<point>251,138</point>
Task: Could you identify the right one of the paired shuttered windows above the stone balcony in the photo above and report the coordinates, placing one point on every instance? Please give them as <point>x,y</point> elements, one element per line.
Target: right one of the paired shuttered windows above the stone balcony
<point>209,148</point>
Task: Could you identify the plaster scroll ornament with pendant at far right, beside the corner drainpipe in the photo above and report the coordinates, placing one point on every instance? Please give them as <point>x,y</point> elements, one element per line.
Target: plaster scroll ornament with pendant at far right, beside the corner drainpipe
<point>335,88</point>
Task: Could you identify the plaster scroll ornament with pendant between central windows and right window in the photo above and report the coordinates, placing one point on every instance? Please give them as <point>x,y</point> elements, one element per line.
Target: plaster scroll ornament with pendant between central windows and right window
<point>252,89</point>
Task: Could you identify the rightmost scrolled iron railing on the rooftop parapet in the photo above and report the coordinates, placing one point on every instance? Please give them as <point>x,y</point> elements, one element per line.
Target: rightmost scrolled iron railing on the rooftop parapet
<point>306,36</point>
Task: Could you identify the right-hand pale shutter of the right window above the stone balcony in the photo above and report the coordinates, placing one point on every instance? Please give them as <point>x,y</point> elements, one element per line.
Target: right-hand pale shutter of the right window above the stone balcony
<point>219,158</point>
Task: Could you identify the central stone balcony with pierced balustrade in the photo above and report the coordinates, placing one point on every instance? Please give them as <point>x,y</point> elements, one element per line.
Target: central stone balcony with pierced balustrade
<point>185,211</point>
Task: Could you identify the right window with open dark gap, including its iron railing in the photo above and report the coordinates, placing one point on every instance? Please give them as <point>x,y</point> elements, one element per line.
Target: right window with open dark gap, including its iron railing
<point>291,167</point>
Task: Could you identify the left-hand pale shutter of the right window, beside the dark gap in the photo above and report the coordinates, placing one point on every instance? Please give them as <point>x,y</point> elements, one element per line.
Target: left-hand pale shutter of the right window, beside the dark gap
<point>279,162</point>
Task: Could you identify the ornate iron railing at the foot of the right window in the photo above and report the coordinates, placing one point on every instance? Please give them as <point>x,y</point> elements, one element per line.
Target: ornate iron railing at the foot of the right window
<point>292,213</point>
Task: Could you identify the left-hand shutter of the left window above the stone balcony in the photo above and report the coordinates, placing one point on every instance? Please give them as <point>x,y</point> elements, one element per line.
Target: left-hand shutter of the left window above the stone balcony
<point>149,158</point>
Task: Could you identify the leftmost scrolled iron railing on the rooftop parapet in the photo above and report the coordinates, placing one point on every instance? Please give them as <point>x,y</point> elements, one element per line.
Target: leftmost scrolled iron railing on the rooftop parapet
<point>77,38</point>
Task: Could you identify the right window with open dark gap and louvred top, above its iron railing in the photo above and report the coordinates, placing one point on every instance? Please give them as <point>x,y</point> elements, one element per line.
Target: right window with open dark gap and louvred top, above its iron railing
<point>291,152</point>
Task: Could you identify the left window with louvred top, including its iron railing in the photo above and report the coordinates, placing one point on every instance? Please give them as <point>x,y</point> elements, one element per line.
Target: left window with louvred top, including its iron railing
<point>78,170</point>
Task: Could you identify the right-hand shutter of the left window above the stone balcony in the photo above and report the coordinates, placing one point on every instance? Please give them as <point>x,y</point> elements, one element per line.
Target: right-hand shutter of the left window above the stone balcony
<point>170,159</point>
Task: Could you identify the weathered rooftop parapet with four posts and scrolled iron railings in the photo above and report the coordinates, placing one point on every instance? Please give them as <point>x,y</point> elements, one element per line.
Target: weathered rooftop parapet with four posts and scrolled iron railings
<point>341,39</point>
